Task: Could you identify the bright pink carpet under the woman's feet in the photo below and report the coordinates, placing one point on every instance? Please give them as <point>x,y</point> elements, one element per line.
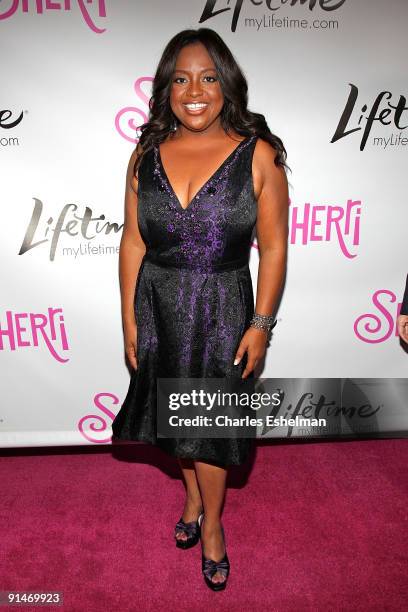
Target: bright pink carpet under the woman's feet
<point>312,526</point>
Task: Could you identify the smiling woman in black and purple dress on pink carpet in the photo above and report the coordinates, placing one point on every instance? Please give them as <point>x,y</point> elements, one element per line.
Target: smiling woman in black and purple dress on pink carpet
<point>205,171</point>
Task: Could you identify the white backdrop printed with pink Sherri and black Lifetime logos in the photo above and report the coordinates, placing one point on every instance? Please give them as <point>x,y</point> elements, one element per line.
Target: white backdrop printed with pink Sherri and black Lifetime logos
<point>329,76</point>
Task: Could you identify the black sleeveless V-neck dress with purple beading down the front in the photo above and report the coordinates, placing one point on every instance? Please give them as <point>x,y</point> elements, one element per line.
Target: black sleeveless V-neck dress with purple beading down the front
<point>194,296</point>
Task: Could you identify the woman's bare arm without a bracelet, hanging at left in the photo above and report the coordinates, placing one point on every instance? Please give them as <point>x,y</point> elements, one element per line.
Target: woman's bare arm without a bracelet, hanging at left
<point>132,249</point>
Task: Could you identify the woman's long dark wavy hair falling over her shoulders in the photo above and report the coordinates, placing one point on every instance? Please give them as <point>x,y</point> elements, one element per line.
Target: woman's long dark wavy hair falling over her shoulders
<point>234,113</point>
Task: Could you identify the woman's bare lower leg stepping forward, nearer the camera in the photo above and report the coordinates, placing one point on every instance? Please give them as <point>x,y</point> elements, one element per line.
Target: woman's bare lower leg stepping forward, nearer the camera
<point>211,480</point>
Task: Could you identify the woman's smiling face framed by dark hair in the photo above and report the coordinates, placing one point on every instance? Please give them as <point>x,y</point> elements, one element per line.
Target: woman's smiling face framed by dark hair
<point>196,97</point>
